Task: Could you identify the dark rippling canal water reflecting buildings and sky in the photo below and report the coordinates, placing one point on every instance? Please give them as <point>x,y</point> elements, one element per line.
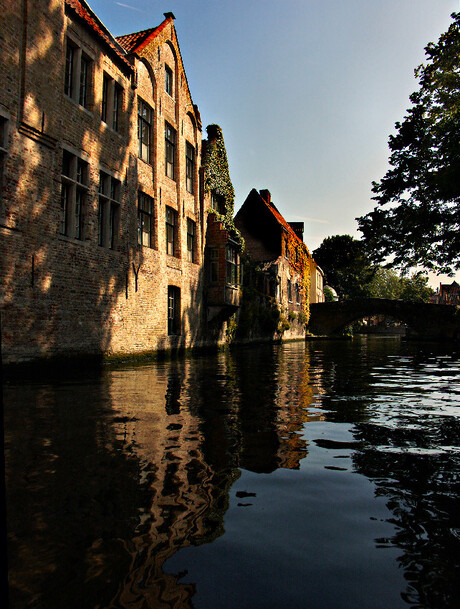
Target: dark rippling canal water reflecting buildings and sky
<point>304,476</point>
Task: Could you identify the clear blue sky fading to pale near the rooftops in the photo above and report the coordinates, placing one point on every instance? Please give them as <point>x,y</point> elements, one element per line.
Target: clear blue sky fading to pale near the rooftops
<point>306,91</point>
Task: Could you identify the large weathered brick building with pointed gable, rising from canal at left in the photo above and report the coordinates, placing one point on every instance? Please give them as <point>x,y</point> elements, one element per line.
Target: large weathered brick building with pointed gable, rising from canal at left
<point>103,212</point>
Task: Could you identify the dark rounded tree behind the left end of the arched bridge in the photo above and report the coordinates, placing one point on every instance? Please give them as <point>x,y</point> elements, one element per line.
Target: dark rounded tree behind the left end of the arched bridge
<point>345,265</point>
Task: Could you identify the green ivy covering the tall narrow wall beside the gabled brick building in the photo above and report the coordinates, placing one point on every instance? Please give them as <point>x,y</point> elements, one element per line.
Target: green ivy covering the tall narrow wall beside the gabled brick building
<point>217,180</point>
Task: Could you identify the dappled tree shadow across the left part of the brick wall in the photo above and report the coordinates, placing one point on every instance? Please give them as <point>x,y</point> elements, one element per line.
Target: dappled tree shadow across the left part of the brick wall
<point>59,293</point>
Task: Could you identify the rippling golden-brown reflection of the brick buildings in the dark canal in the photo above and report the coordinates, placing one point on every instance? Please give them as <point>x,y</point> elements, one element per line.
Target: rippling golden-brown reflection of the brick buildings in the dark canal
<point>109,476</point>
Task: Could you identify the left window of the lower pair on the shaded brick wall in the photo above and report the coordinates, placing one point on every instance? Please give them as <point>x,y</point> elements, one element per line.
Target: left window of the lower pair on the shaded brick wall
<point>74,187</point>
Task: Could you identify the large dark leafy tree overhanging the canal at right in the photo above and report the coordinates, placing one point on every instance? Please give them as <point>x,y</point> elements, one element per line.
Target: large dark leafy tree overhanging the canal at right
<point>417,218</point>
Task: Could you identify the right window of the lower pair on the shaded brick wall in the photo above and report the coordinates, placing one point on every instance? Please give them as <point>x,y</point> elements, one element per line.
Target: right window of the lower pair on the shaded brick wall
<point>108,211</point>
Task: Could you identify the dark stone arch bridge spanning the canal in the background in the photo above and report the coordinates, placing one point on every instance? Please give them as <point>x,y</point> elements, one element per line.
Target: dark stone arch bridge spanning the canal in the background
<point>424,320</point>
